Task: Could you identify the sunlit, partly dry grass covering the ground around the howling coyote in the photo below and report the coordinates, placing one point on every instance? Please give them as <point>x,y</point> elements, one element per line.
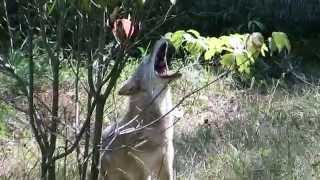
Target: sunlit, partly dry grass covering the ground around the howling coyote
<point>223,134</point>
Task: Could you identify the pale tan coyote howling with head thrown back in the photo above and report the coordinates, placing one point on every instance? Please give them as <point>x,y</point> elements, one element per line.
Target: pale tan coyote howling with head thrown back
<point>140,146</point>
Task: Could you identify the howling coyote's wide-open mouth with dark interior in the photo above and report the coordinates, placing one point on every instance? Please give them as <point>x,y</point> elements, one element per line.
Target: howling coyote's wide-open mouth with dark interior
<point>161,66</point>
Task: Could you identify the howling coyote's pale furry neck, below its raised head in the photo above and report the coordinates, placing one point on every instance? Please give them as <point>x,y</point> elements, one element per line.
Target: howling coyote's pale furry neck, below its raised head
<point>146,110</point>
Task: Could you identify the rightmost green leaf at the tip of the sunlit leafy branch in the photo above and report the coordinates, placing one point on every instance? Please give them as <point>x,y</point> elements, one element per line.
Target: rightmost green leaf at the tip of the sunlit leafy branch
<point>281,41</point>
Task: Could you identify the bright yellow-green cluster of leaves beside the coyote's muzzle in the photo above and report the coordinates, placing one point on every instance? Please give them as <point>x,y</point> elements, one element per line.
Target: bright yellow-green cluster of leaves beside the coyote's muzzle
<point>238,52</point>
